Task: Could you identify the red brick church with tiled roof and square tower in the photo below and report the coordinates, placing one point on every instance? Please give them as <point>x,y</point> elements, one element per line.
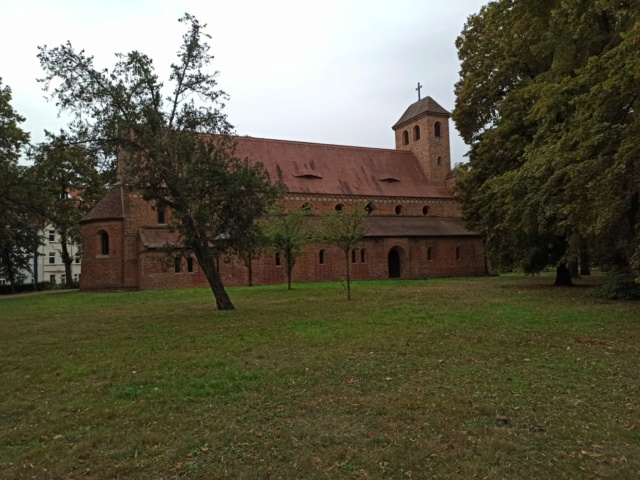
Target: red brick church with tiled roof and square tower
<point>414,225</point>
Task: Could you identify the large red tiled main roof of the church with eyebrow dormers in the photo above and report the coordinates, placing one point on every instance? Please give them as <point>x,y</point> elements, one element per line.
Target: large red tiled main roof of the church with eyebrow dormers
<point>313,168</point>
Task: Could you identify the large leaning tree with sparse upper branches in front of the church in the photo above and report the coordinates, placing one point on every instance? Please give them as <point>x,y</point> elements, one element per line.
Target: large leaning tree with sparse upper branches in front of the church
<point>174,146</point>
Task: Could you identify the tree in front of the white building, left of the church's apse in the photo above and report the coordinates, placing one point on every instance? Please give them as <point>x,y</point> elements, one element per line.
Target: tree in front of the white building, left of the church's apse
<point>69,175</point>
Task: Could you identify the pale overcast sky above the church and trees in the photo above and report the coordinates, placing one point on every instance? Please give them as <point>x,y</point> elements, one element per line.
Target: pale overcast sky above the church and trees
<point>340,72</point>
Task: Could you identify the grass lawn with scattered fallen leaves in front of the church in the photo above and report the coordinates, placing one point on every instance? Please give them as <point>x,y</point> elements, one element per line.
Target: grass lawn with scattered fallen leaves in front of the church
<point>501,377</point>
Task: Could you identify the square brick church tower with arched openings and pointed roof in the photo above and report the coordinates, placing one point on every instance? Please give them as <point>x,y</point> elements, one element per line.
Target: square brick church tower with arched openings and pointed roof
<point>424,130</point>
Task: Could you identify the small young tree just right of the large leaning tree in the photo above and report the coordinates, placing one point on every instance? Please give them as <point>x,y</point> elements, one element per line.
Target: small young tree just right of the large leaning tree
<point>287,233</point>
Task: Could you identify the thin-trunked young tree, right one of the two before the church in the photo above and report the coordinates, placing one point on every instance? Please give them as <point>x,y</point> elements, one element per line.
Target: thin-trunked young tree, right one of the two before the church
<point>344,229</point>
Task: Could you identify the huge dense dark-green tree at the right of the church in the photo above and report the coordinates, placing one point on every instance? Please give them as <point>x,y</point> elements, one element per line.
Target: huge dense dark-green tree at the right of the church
<point>547,102</point>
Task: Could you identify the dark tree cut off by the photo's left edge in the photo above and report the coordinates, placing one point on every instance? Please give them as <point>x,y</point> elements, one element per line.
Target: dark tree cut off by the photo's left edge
<point>19,207</point>
